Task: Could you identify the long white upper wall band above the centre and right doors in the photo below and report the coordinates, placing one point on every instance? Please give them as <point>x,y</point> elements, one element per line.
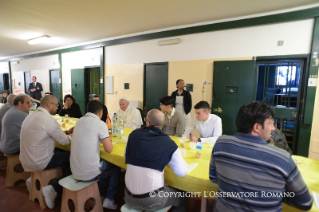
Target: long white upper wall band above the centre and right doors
<point>242,42</point>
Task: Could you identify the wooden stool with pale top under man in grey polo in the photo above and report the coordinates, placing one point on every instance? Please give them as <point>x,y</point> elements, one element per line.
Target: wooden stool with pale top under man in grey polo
<point>79,192</point>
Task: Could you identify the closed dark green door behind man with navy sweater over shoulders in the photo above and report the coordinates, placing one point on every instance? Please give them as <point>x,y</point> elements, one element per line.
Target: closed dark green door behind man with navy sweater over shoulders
<point>155,84</point>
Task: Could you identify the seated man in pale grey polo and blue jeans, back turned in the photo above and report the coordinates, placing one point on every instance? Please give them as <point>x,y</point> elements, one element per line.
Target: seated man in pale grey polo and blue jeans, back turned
<point>86,164</point>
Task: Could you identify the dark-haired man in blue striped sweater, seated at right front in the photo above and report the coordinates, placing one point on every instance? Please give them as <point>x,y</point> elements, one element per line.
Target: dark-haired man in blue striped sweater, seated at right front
<point>246,164</point>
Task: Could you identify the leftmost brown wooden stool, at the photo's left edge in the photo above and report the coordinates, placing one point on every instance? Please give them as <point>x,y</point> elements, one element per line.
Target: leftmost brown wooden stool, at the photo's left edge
<point>15,170</point>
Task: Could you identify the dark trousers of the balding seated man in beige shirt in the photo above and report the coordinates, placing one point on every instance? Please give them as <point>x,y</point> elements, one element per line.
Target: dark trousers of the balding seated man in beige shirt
<point>59,158</point>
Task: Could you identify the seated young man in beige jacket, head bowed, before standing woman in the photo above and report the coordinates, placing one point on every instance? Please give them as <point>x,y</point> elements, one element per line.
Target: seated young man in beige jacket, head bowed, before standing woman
<point>174,120</point>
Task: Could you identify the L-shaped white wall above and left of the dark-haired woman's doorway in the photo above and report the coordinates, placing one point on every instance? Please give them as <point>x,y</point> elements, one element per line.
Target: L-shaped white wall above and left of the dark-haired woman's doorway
<point>74,60</point>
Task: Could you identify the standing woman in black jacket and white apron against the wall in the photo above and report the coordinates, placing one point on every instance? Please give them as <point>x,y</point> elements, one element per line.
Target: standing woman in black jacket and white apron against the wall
<point>182,100</point>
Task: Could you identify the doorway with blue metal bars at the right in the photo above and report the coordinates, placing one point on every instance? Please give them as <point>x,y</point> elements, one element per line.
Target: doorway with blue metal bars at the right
<point>279,85</point>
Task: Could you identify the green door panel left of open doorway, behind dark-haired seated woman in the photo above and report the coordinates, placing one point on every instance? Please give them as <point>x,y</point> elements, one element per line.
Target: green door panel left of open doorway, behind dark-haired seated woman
<point>78,87</point>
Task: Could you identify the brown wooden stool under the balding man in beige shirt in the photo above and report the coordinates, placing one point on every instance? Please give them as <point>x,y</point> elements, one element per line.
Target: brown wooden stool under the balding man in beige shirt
<point>40,179</point>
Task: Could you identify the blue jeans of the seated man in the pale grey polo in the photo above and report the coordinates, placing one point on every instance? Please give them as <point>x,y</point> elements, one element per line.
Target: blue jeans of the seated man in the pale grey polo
<point>110,175</point>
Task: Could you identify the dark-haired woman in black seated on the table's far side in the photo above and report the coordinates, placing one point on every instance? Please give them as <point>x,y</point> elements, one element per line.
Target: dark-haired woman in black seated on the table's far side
<point>70,107</point>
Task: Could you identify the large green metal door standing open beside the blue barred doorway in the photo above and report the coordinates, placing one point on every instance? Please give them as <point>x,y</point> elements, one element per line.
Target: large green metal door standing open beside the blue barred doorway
<point>234,84</point>
